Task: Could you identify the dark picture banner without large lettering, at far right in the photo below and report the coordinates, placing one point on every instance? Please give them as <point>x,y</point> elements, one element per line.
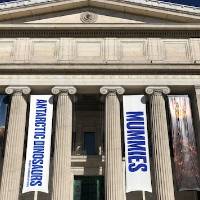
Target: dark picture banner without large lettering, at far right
<point>184,144</point>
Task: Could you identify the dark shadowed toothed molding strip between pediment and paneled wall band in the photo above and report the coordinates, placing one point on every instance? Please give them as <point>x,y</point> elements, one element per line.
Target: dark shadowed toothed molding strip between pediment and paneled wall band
<point>100,33</point>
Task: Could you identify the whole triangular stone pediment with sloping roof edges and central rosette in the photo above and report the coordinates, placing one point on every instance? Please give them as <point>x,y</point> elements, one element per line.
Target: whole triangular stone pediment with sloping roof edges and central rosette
<point>105,11</point>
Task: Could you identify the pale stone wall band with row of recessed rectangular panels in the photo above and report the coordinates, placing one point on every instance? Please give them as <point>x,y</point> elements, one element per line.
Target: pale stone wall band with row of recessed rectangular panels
<point>99,50</point>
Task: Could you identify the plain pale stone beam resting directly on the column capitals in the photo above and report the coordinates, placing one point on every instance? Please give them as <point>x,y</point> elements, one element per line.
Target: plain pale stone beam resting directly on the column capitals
<point>89,84</point>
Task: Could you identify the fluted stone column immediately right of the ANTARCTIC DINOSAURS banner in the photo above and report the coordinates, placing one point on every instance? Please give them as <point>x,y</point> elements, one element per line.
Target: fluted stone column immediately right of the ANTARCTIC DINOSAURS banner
<point>63,139</point>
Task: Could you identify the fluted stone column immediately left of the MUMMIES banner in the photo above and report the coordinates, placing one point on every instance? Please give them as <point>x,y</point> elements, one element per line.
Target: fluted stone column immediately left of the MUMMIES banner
<point>114,189</point>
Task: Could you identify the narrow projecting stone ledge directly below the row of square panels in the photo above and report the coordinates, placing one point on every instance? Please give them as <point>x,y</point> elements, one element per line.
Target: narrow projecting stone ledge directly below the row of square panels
<point>145,68</point>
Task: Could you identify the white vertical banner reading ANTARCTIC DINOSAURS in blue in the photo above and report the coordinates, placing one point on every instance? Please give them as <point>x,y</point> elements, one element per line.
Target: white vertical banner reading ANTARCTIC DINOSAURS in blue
<point>36,175</point>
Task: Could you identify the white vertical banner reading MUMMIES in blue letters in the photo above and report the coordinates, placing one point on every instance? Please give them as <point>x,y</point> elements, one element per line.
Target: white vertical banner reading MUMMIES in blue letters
<point>138,176</point>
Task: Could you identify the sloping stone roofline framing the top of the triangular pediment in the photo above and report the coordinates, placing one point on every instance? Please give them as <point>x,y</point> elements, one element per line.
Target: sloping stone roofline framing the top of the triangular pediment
<point>147,8</point>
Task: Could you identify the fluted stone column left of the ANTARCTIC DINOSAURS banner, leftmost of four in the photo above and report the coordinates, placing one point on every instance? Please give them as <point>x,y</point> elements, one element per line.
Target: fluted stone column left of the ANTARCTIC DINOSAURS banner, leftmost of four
<point>10,183</point>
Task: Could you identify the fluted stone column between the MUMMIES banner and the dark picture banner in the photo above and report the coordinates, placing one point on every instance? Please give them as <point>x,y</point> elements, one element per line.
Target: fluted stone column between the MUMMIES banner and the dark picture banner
<point>160,144</point>
